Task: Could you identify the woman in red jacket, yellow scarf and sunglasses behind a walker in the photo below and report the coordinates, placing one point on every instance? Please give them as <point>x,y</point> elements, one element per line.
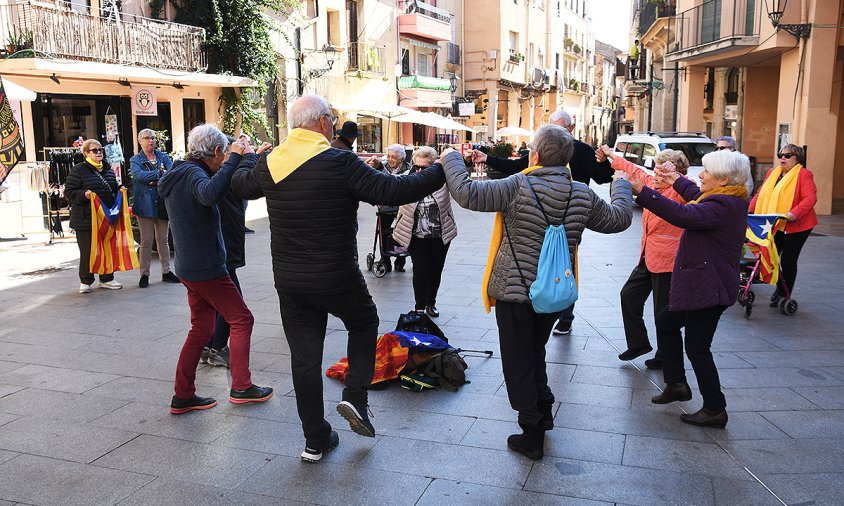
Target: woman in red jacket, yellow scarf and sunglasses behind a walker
<point>788,189</point>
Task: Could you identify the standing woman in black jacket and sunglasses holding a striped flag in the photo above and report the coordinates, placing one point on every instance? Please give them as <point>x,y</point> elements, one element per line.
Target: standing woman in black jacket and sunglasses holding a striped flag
<point>90,177</point>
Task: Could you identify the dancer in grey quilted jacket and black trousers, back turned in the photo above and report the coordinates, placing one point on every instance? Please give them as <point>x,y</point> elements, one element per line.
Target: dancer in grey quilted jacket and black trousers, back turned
<point>527,203</point>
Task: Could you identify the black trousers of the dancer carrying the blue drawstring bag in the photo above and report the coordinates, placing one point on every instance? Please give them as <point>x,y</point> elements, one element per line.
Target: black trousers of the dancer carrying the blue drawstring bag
<point>522,335</point>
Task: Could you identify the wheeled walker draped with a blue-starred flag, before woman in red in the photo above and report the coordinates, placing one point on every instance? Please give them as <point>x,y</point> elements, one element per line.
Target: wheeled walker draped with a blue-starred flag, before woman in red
<point>750,272</point>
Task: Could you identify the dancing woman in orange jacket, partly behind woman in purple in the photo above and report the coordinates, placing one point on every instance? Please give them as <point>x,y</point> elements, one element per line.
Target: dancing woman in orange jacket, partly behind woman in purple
<point>660,241</point>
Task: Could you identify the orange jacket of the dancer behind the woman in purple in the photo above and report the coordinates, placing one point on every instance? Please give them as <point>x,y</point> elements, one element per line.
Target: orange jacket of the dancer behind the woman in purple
<point>660,239</point>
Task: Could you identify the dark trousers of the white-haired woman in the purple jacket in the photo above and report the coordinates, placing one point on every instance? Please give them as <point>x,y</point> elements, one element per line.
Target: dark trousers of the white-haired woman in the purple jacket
<point>700,329</point>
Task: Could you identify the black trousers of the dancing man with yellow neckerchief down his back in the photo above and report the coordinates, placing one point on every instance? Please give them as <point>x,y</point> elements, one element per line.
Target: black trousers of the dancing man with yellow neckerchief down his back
<point>304,318</point>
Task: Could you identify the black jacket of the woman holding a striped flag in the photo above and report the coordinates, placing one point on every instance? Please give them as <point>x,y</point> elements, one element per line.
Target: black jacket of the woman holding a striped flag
<point>84,177</point>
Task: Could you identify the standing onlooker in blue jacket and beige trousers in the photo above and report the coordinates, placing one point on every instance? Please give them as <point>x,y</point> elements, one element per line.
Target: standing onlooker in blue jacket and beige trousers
<point>147,168</point>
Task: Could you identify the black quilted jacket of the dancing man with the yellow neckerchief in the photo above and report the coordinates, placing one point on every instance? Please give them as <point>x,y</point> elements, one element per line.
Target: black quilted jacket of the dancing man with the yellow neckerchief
<point>313,215</point>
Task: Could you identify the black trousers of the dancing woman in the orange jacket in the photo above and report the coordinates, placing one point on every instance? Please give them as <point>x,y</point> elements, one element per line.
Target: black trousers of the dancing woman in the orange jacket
<point>635,292</point>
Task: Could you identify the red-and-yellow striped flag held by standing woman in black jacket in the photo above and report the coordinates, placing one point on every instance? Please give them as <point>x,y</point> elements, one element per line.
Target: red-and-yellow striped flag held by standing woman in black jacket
<point>112,241</point>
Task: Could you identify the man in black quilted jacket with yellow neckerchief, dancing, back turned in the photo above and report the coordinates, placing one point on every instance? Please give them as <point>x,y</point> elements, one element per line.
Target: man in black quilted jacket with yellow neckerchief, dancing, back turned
<point>313,192</point>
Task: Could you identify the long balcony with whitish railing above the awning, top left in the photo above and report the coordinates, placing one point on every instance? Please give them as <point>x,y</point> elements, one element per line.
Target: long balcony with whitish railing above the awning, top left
<point>31,29</point>
